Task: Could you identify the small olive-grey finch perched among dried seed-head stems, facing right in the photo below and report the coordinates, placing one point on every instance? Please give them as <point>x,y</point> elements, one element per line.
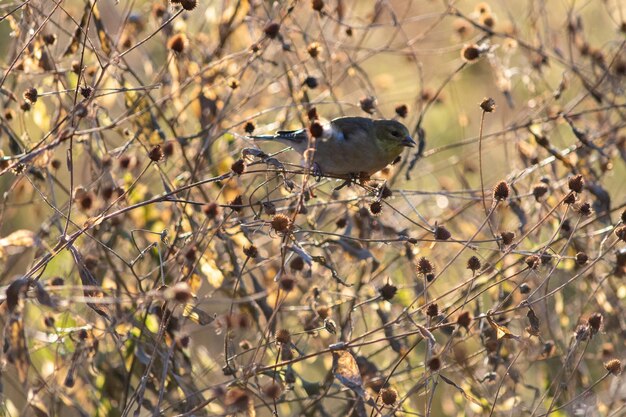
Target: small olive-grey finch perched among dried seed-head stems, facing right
<point>350,146</point>
